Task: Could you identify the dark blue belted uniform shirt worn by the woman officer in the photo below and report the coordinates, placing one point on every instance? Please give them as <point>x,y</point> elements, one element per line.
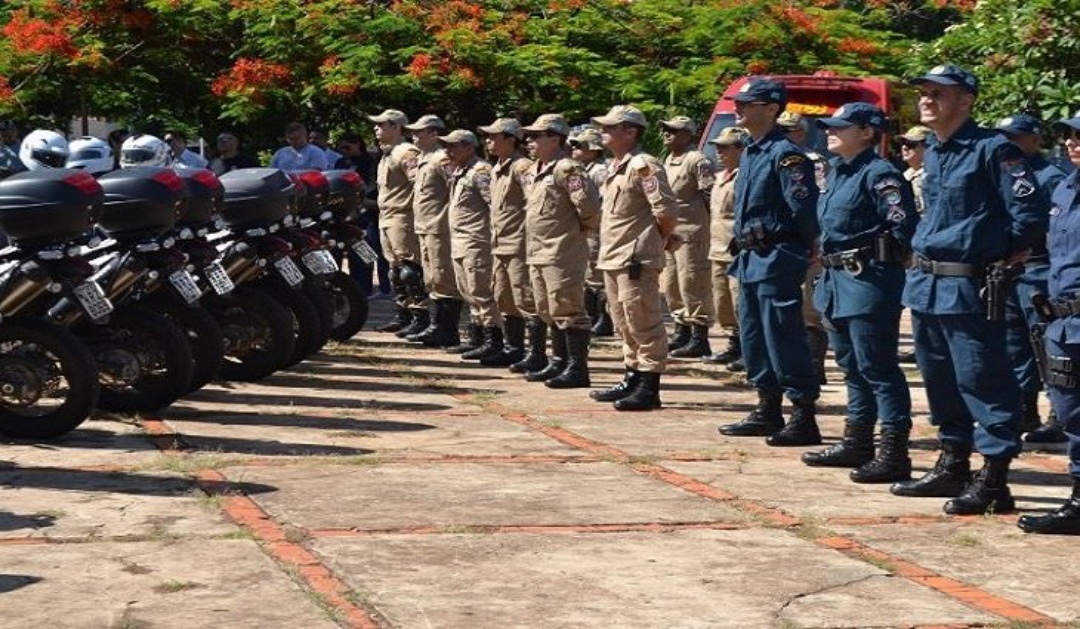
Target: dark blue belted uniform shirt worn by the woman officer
<point>863,197</point>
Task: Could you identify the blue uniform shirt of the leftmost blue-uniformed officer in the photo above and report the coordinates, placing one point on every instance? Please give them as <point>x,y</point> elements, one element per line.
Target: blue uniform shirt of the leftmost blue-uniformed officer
<point>776,192</point>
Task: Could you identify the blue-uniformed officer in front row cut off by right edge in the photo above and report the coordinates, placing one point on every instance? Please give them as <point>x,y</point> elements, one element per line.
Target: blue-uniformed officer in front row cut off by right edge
<point>1063,332</point>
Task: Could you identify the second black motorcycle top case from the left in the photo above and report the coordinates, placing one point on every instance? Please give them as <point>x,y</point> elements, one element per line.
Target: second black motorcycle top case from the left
<point>142,203</point>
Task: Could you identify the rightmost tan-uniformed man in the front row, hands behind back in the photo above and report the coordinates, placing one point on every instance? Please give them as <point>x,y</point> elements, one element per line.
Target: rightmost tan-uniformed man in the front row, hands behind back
<point>639,219</point>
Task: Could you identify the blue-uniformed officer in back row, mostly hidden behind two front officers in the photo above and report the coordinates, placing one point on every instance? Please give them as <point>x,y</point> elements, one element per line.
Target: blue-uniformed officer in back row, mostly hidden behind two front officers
<point>1025,131</point>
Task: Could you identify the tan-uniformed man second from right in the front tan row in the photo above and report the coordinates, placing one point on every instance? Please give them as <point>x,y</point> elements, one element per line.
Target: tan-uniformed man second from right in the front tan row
<point>563,208</point>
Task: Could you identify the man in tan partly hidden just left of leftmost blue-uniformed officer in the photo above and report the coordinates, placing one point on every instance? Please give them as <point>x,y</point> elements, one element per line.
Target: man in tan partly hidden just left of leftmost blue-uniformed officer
<point>730,145</point>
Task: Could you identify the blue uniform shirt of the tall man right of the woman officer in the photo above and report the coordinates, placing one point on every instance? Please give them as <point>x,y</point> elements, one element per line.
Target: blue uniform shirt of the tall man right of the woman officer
<point>982,205</point>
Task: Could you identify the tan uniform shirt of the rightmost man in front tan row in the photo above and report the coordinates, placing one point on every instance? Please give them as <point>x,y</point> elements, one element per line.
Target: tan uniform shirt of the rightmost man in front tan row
<point>636,195</point>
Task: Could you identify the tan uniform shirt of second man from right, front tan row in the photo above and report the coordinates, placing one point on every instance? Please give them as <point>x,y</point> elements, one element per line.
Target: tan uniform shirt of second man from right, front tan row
<point>563,206</point>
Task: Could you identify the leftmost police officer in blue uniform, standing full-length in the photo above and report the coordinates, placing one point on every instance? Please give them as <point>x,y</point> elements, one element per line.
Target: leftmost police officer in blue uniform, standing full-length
<point>776,232</point>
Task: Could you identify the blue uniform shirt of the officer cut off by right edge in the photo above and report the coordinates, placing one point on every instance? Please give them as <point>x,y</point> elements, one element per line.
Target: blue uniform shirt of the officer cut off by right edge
<point>1064,244</point>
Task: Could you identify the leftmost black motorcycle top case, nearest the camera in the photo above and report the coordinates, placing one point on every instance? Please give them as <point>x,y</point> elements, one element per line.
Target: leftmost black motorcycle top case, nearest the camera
<point>44,208</point>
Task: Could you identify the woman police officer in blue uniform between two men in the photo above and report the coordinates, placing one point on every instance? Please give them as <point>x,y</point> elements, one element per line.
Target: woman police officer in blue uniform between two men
<point>868,218</point>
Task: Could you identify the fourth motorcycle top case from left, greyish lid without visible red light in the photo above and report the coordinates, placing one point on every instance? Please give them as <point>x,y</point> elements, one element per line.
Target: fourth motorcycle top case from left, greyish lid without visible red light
<point>256,197</point>
